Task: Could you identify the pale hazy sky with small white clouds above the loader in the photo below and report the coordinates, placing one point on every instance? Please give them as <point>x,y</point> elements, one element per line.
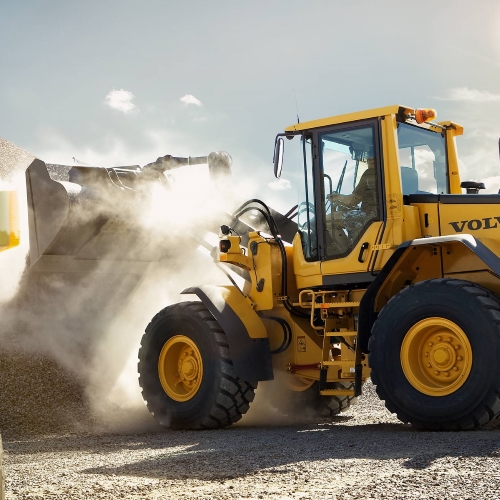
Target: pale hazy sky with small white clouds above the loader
<point>121,82</point>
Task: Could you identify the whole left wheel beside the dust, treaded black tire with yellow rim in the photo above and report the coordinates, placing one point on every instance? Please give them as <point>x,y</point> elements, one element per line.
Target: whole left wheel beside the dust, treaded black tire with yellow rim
<point>186,373</point>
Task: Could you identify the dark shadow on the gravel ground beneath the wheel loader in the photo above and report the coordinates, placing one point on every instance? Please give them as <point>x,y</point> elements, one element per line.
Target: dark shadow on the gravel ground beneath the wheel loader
<point>239,452</point>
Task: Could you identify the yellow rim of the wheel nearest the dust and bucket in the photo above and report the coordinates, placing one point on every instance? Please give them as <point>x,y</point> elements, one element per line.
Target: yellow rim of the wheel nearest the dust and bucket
<point>180,368</point>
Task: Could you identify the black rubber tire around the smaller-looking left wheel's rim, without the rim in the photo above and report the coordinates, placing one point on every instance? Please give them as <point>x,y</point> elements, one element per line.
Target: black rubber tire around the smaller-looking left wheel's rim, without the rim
<point>222,398</point>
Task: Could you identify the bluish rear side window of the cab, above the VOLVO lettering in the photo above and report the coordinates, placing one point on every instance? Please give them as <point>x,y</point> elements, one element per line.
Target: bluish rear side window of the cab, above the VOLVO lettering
<point>422,159</point>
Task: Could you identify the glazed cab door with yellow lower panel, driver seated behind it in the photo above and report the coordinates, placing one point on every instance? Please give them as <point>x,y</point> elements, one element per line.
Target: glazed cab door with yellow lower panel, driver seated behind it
<point>342,203</point>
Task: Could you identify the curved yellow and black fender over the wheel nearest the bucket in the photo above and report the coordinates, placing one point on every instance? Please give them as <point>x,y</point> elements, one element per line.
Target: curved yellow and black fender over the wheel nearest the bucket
<point>245,331</point>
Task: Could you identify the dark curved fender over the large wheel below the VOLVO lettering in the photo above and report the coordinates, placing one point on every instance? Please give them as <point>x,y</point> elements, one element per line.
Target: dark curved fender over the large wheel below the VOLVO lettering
<point>367,313</point>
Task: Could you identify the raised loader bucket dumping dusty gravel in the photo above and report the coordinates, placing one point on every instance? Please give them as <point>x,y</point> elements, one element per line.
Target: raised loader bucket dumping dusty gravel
<point>80,217</point>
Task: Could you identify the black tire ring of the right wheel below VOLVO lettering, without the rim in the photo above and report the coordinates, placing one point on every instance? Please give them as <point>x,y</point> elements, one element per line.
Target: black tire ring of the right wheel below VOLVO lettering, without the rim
<point>452,302</point>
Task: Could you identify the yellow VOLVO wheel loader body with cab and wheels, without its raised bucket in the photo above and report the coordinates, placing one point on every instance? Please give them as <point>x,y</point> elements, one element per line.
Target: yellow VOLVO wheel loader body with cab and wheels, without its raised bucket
<point>385,268</point>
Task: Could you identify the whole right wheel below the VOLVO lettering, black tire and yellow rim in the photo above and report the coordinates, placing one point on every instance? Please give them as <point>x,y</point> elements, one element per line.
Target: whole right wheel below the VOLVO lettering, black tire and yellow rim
<point>434,354</point>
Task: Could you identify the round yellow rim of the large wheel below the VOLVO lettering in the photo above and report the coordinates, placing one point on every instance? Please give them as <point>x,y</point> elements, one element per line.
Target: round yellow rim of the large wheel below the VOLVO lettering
<point>436,356</point>
